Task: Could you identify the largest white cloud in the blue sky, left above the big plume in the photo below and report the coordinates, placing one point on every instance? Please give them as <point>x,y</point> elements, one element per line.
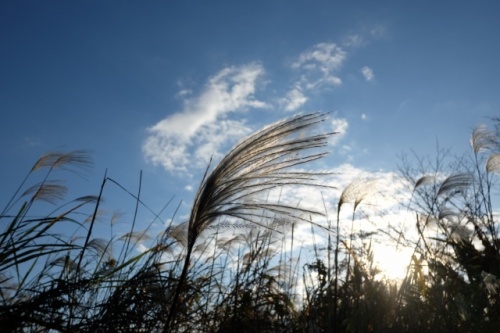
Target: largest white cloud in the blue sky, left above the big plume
<point>202,124</point>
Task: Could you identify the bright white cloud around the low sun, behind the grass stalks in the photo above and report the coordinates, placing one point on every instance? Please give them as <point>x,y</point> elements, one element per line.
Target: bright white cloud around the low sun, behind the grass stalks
<point>376,211</point>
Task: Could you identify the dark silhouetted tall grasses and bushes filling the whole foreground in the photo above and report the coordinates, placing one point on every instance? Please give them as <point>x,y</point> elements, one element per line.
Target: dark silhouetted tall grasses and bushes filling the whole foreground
<point>217,273</point>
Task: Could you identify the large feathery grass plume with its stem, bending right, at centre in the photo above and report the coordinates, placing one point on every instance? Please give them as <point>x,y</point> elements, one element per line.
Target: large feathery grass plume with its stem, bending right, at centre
<point>256,165</point>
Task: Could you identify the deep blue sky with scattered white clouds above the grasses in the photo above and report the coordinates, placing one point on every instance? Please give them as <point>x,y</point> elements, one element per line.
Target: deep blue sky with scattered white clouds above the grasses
<point>164,86</point>
